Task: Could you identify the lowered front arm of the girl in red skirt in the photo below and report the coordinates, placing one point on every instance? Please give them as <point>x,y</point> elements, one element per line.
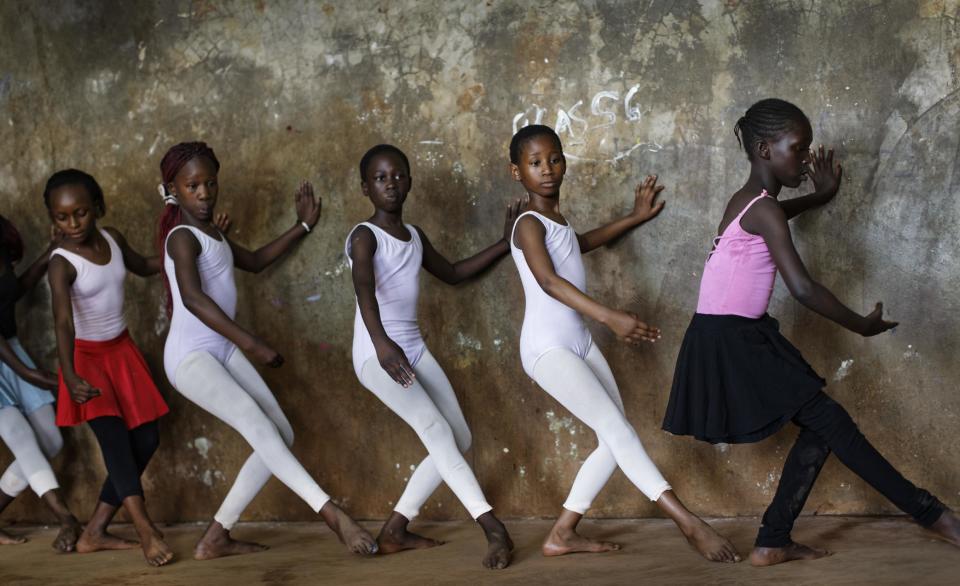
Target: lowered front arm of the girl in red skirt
<point>61,276</point>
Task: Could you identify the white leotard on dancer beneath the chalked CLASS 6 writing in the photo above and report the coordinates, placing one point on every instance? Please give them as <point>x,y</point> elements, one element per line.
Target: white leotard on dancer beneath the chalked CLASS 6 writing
<point>547,323</point>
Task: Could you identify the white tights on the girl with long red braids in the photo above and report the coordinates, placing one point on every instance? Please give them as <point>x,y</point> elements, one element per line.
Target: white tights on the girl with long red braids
<point>236,394</point>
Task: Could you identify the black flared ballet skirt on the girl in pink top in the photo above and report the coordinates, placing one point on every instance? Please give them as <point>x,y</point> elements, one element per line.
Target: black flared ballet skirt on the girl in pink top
<point>737,380</point>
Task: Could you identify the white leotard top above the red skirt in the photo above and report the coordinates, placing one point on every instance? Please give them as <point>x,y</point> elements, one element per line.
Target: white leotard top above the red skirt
<point>97,294</point>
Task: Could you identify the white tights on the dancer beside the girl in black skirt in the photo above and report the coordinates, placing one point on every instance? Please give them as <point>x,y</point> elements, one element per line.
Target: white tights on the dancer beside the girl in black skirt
<point>586,388</point>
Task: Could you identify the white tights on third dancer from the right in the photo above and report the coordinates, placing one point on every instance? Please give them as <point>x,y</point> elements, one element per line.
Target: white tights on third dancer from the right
<point>430,407</point>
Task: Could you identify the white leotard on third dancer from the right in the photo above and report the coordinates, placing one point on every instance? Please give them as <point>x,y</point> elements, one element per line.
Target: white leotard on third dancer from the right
<point>396,268</point>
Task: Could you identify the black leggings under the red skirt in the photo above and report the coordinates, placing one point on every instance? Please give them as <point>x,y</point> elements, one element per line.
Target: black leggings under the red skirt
<point>126,454</point>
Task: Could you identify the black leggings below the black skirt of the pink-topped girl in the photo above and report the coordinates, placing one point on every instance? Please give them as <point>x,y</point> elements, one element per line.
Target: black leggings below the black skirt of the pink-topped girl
<point>826,426</point>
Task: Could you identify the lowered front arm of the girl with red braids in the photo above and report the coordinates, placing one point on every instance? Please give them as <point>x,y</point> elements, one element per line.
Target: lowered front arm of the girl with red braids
<point>183,248</point>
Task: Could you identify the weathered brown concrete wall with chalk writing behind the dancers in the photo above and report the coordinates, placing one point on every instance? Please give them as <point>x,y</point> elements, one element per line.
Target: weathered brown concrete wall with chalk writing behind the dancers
<point>285,90</point>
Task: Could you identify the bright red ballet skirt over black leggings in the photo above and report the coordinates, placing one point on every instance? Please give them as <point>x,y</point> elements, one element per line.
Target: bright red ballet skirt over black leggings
<point>127,390</point>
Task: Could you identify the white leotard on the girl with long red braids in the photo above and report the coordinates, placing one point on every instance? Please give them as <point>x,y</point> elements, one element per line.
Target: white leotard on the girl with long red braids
<point>187,333</point>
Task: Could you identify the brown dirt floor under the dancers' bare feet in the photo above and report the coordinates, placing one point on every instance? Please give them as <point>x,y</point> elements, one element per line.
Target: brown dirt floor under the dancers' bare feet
<point>868,550</point>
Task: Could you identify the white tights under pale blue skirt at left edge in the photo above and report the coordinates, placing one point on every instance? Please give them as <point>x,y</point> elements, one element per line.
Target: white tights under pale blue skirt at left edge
<point>32,439</point>
